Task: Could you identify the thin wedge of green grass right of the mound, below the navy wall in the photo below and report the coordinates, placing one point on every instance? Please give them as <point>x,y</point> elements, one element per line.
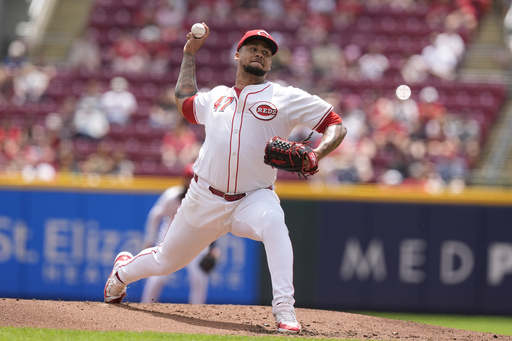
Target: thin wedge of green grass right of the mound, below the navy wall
<point>487,324</point>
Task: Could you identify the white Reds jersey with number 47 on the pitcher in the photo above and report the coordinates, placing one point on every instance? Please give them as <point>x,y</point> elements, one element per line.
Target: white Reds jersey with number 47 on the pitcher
<point>238,127</point>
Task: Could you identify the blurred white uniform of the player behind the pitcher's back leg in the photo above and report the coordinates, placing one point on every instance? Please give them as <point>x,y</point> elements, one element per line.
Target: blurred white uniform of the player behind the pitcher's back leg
<point>159,218</point>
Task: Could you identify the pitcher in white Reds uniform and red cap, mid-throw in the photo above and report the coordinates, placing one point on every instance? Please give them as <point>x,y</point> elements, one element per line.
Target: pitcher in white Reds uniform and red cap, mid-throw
<point>233,189</point>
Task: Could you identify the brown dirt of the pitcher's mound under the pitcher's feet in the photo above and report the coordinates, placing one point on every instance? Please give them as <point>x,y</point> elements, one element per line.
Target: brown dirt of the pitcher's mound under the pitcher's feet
<point>218,319</point>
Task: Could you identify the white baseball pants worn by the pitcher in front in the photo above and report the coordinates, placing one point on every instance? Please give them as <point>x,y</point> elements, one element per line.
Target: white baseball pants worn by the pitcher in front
<point>202,218</point>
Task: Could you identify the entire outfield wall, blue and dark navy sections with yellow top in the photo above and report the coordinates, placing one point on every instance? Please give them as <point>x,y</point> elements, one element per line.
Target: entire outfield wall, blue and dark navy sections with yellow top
<point>356,247</point>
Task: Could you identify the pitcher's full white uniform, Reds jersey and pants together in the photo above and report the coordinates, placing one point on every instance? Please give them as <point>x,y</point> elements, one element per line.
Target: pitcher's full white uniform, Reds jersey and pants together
<point>238,125</point>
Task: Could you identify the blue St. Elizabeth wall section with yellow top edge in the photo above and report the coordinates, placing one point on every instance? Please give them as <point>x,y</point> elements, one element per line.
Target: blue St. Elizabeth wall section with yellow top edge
<point>59,242</point>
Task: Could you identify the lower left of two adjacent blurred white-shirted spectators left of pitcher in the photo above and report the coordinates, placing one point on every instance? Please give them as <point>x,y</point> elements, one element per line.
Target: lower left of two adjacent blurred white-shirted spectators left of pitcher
<point>90,122</point>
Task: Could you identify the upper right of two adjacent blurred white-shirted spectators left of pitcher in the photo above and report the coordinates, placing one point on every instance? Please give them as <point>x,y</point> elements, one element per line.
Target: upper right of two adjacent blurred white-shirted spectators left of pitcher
<point>118,103</point>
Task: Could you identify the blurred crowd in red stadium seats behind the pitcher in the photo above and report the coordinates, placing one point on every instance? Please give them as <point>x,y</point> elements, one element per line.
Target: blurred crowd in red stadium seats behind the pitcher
<point>417,141</point>
